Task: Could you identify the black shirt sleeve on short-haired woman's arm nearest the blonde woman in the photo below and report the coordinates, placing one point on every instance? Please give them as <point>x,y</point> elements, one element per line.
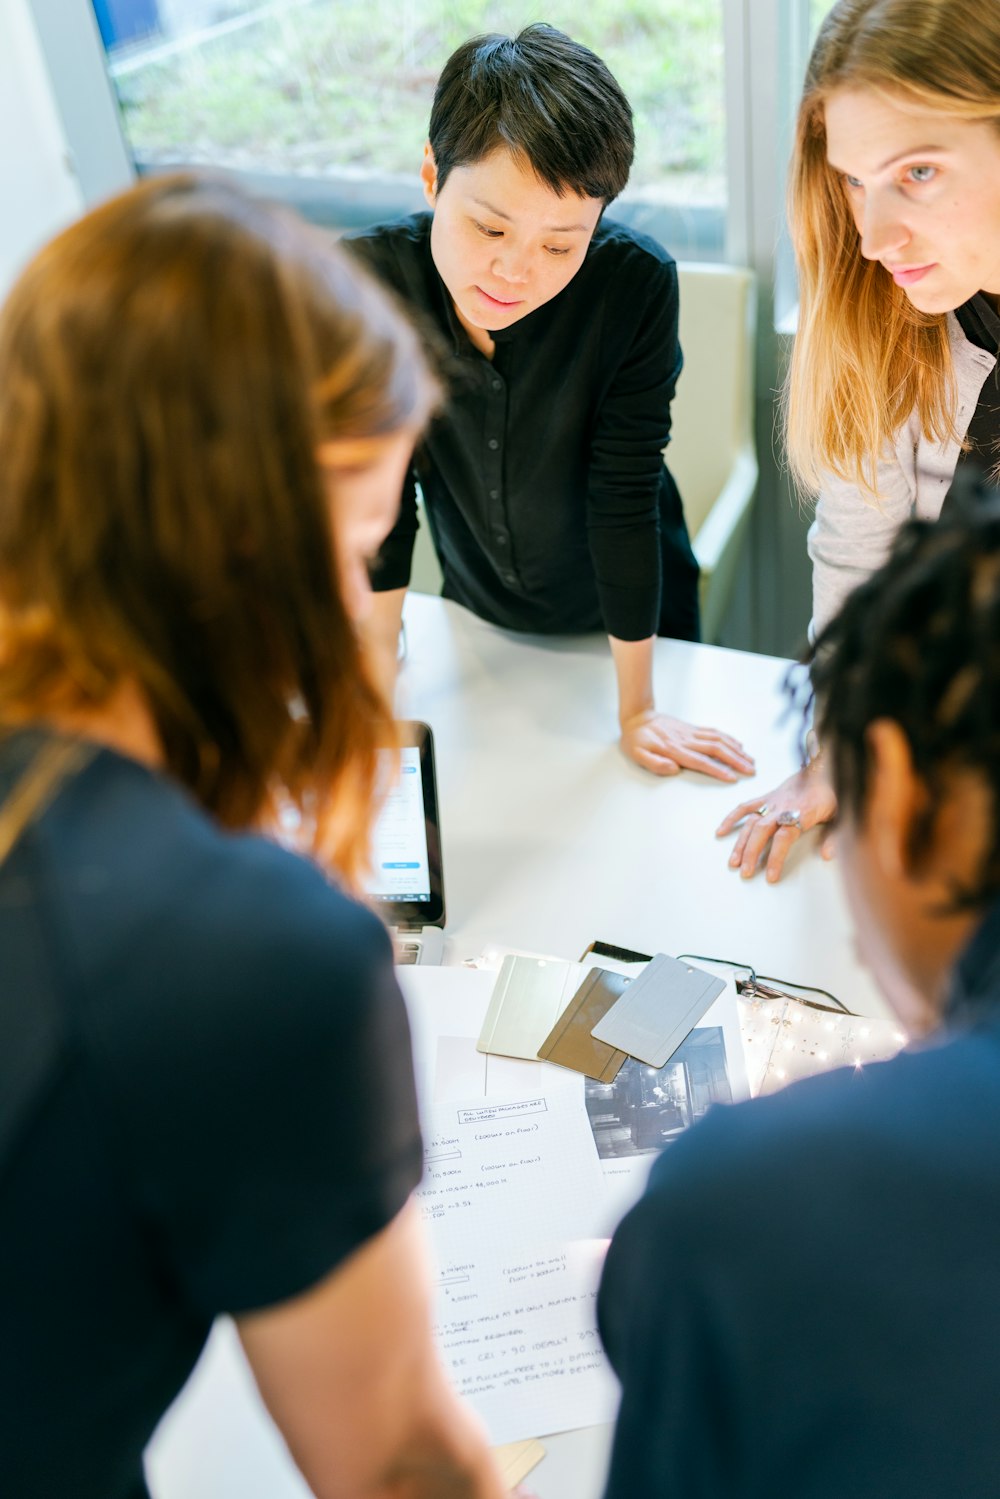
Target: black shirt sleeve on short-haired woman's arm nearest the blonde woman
<point>633,426</point>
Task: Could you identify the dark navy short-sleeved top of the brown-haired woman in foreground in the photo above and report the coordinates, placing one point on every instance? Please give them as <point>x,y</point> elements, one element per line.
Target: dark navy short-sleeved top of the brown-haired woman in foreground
<point>221,1109</point>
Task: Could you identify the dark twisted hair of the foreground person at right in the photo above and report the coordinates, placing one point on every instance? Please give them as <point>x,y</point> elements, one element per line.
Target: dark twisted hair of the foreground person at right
<point>920,644</point>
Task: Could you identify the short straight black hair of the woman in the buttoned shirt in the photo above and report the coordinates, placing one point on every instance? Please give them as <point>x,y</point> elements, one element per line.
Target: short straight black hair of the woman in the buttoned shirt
<point>543,97</point>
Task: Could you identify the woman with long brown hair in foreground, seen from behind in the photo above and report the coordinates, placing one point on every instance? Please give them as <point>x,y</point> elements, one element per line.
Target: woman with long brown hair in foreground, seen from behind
<point>206,1088</point>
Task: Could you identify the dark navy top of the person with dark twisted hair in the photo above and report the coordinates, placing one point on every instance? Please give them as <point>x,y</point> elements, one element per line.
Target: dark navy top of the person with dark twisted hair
<point>807,1299</point>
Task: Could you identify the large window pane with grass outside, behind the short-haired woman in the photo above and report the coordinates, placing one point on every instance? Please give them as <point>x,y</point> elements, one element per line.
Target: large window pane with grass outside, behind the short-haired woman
<point>331,101</point>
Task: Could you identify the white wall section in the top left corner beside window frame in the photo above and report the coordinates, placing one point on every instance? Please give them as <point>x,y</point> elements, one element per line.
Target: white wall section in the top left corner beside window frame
<point>38,190</point>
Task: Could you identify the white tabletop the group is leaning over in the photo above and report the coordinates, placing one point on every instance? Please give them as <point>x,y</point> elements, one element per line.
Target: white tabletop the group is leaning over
<point>551,840</point>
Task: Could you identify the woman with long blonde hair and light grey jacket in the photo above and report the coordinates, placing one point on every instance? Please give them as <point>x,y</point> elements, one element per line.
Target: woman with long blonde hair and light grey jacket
<point>896,221</point>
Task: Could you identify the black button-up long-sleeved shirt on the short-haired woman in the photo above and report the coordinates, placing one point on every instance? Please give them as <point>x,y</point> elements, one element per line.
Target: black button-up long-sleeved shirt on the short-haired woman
<point>543,480</point>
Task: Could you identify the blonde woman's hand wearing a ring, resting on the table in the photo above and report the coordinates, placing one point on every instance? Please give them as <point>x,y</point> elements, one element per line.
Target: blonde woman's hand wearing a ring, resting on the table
<point>807,794</point>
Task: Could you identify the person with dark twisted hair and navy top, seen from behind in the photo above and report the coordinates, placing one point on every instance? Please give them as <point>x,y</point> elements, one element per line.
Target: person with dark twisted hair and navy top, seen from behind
<point>806,1302</point>
